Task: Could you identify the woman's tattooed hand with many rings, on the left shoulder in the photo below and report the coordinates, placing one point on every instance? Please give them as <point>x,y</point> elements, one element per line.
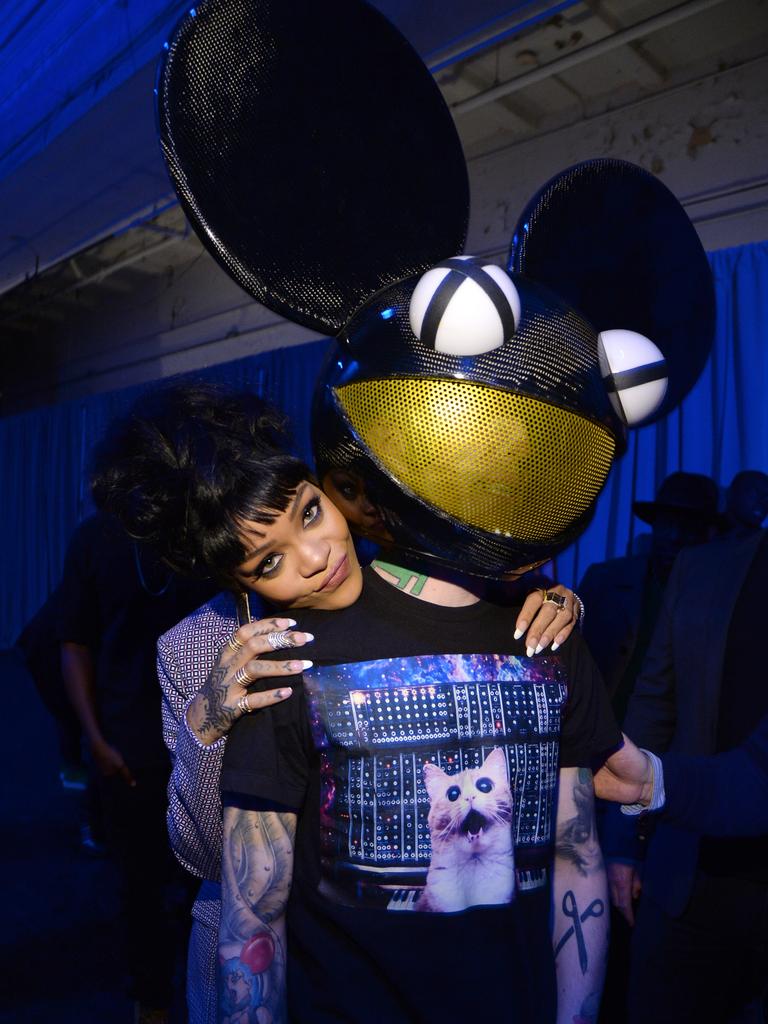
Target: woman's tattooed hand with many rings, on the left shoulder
<point>225,697</point>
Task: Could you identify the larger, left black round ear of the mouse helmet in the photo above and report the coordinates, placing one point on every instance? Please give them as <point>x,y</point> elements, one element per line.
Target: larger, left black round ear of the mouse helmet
<point>312,152</point>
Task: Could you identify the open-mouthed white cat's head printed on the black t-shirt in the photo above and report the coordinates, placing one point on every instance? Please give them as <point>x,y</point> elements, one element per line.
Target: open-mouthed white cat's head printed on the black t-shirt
<point>465,806</point>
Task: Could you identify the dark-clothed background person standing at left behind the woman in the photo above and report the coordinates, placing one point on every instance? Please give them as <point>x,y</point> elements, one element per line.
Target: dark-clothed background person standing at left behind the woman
<point>116,601</point>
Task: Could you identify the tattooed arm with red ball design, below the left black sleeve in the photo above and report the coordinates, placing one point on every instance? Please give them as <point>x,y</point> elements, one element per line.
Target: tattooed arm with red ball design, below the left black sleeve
<point>258,870</point>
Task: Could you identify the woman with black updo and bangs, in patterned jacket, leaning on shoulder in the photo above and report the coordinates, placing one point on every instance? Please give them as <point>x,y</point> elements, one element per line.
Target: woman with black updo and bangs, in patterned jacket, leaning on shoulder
<point>203,476</point>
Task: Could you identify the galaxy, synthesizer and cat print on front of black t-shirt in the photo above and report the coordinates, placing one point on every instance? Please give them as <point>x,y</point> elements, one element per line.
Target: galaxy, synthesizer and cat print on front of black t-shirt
<point>439,778</point>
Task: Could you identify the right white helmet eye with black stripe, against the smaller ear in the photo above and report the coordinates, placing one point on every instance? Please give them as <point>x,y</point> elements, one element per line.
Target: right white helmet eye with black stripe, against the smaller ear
<point>635,374</point>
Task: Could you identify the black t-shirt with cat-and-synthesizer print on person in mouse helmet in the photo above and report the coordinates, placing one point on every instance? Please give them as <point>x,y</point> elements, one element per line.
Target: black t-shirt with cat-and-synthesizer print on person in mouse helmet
<point>423,766</point>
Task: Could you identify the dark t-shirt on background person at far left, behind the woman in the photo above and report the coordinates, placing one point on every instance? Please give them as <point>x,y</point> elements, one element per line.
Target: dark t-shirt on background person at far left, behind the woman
<point>117,600</point>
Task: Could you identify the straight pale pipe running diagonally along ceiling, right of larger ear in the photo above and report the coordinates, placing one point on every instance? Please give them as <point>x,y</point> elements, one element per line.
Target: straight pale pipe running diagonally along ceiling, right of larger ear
<point>589,53</point>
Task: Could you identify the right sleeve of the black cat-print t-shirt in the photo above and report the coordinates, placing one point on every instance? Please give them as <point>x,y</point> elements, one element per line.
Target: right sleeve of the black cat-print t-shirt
<point>589,731</point>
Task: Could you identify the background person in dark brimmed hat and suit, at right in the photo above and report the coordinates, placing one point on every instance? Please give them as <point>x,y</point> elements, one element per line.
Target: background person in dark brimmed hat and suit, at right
<point>624,595</point>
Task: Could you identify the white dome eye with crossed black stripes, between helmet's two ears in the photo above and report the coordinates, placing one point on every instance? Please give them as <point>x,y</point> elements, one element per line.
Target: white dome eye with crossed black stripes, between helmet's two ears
<point>464,308</point>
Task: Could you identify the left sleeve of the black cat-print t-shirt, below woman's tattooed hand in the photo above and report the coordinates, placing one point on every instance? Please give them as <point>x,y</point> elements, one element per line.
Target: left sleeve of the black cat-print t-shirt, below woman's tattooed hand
<point>269,754</point>
